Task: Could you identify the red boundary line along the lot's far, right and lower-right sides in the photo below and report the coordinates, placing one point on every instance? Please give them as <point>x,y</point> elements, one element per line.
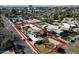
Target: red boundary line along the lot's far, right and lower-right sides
<point>63,43</point>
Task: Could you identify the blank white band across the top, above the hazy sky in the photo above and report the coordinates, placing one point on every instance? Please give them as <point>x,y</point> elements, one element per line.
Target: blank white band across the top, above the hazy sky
<point>39,2</point>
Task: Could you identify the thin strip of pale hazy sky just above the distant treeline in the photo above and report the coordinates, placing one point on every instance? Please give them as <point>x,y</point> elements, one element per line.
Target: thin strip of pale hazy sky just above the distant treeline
<point>39,5</point>
